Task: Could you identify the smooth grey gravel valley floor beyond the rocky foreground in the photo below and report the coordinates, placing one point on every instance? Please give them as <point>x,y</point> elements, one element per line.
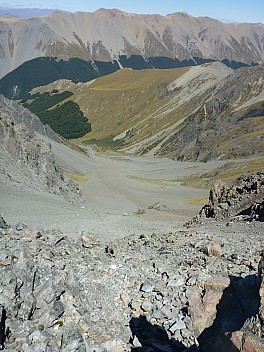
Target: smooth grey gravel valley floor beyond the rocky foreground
<point>121,195</point>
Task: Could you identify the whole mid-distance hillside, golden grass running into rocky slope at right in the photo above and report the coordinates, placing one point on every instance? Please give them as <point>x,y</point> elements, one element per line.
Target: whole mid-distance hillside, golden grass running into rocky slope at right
<point>180,113</point>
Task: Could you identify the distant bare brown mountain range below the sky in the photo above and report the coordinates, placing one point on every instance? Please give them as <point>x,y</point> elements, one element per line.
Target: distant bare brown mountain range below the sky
<point>108,34</point>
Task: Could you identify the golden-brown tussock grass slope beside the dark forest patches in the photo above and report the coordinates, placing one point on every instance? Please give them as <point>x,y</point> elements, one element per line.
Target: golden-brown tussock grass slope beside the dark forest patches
<point>132,101</point>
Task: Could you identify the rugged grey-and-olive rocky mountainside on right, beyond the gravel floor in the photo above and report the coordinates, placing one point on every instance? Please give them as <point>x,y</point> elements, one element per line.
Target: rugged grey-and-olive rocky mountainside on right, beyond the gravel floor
<point>229,124</point>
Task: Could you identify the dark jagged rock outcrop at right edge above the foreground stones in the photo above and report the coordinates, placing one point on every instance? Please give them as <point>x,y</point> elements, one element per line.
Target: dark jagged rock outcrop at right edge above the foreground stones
<point>245,199</point>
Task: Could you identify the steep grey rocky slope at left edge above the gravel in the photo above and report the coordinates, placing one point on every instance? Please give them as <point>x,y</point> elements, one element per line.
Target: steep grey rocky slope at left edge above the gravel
<point>25,159</point>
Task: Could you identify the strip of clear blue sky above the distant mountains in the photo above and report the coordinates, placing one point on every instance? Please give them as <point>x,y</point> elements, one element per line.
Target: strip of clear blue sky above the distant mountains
<point>237,10</point>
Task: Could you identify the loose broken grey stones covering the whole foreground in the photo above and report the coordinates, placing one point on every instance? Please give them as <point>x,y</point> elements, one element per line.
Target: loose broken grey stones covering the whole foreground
<point>192,290</point>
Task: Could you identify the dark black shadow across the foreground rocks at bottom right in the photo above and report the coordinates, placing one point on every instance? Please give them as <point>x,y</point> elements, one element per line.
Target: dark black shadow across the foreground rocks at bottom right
<point>239,302</point>
